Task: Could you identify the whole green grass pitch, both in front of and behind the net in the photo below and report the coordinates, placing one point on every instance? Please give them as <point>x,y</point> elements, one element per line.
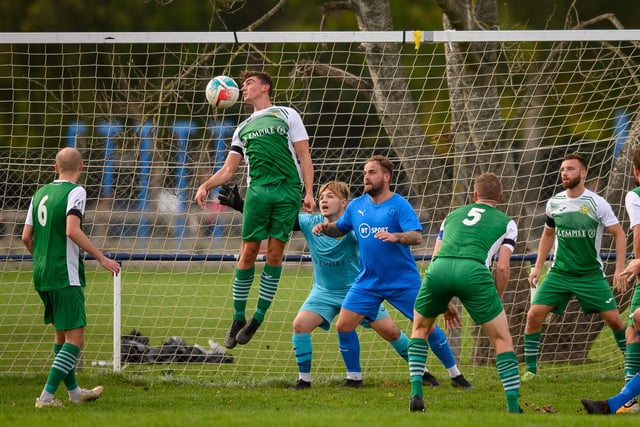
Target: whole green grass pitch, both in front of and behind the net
<point>170,396</point>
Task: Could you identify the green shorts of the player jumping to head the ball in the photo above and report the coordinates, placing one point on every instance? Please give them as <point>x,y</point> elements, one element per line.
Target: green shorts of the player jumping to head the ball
<point>270,211</point>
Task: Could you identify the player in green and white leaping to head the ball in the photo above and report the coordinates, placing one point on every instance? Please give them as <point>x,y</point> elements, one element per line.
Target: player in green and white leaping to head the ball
<point>274,144</point>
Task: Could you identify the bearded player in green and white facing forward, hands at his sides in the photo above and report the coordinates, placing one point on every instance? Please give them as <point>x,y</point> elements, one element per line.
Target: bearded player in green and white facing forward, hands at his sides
<point>576,219</point>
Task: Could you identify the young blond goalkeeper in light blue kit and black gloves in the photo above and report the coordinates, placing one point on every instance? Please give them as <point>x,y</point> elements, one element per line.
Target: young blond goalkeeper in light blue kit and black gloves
<point>335,267</point>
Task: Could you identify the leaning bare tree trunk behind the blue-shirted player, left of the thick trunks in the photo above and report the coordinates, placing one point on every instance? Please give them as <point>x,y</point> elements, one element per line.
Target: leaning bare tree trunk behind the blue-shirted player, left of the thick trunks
<point>397,111</point>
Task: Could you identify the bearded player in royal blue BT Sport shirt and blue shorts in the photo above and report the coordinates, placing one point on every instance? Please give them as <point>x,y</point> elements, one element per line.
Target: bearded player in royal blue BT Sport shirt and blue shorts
<point>384,225</point>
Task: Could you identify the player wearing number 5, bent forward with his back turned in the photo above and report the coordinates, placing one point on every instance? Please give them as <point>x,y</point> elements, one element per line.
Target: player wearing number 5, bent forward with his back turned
<point>469,238</point>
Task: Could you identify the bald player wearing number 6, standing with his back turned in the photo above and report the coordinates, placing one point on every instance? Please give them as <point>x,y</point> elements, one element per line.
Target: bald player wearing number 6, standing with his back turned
<point>53,235</point>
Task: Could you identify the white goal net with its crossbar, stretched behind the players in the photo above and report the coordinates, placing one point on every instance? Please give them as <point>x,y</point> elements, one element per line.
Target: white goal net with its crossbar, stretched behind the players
<point>443,106</point>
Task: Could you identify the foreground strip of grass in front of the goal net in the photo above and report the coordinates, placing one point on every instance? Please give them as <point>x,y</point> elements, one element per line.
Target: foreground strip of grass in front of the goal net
<point>131,400</point>
